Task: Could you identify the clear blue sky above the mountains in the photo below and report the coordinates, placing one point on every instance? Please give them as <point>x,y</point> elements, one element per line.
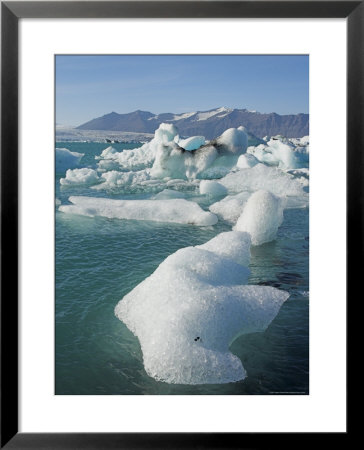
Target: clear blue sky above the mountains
<point>91,86</point>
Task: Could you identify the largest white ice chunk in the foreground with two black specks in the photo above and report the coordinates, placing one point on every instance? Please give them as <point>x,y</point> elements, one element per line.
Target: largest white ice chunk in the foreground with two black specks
<point>187,313</point>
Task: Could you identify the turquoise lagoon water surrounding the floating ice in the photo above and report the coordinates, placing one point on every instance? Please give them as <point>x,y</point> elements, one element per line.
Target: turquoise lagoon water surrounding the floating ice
<point>100,260</point>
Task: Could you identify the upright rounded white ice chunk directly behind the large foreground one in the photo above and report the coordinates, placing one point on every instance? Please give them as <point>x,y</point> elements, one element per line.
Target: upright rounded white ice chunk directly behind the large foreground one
<point>261,217</point>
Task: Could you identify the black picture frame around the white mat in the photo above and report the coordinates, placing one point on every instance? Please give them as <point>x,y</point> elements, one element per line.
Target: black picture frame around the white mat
<point>11,12</point>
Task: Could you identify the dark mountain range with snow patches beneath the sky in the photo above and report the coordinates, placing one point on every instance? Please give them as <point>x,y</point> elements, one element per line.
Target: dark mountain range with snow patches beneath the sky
<point>210,123</point>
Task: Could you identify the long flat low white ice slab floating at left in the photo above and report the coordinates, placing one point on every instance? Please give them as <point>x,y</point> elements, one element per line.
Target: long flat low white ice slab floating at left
<point>176,210</point>
